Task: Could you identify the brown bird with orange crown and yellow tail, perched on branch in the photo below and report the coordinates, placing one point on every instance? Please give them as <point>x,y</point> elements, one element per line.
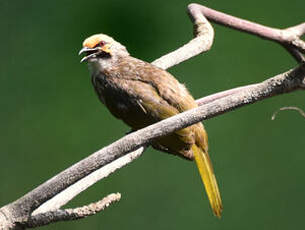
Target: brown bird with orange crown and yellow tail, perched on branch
<point>141,94</point>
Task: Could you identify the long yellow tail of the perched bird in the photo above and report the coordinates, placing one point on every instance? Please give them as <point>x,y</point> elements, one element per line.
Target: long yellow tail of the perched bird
<point>206,171</point>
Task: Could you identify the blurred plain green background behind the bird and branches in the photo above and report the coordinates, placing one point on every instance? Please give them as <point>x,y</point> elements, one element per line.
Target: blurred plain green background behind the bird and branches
<point>51,118</point>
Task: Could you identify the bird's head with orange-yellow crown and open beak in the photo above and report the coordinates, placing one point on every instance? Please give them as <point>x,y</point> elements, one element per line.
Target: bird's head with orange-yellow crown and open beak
<point>100,45</point>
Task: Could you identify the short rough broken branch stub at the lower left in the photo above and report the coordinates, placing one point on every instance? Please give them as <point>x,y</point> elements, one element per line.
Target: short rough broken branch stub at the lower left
<point>72,214</point>
